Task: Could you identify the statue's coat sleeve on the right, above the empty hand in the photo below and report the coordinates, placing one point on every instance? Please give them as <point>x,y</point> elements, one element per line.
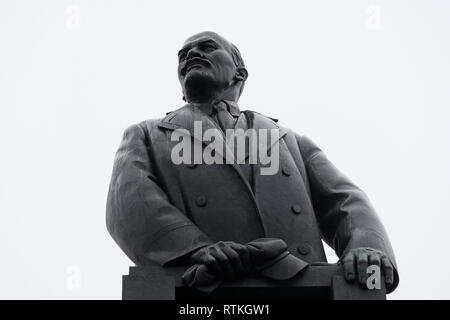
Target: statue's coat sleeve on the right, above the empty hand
<point>345,215</point>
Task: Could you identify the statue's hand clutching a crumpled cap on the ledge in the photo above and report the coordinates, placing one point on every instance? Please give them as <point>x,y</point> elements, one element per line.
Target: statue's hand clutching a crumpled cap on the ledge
<point>225,259</point>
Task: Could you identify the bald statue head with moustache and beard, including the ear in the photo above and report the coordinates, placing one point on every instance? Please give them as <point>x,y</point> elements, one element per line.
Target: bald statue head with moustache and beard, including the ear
<point>209,68</point>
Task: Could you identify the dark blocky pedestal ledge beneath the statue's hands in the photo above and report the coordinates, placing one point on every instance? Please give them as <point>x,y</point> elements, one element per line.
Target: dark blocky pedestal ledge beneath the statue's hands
<point>317,282</point>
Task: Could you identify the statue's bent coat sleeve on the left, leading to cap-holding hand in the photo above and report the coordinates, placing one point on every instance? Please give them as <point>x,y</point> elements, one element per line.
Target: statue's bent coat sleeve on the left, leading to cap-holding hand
<point>139,215</point>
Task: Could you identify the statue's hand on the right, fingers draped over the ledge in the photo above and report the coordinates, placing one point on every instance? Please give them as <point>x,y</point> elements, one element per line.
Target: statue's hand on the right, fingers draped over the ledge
<point>356,261</point>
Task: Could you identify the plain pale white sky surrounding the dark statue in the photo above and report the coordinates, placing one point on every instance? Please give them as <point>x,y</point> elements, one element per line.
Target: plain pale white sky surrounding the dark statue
<point>368,81</point>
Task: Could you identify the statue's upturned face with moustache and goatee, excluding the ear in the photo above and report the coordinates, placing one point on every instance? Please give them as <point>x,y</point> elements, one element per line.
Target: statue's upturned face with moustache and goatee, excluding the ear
<point>205,65</point>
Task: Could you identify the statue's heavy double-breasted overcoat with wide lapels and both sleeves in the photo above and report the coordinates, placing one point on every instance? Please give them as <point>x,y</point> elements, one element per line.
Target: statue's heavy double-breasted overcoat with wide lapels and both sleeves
<point>158,211</point>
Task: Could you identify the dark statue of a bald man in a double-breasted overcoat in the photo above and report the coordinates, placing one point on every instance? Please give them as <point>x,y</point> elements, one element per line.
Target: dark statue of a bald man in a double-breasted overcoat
<point>209,215</point>
